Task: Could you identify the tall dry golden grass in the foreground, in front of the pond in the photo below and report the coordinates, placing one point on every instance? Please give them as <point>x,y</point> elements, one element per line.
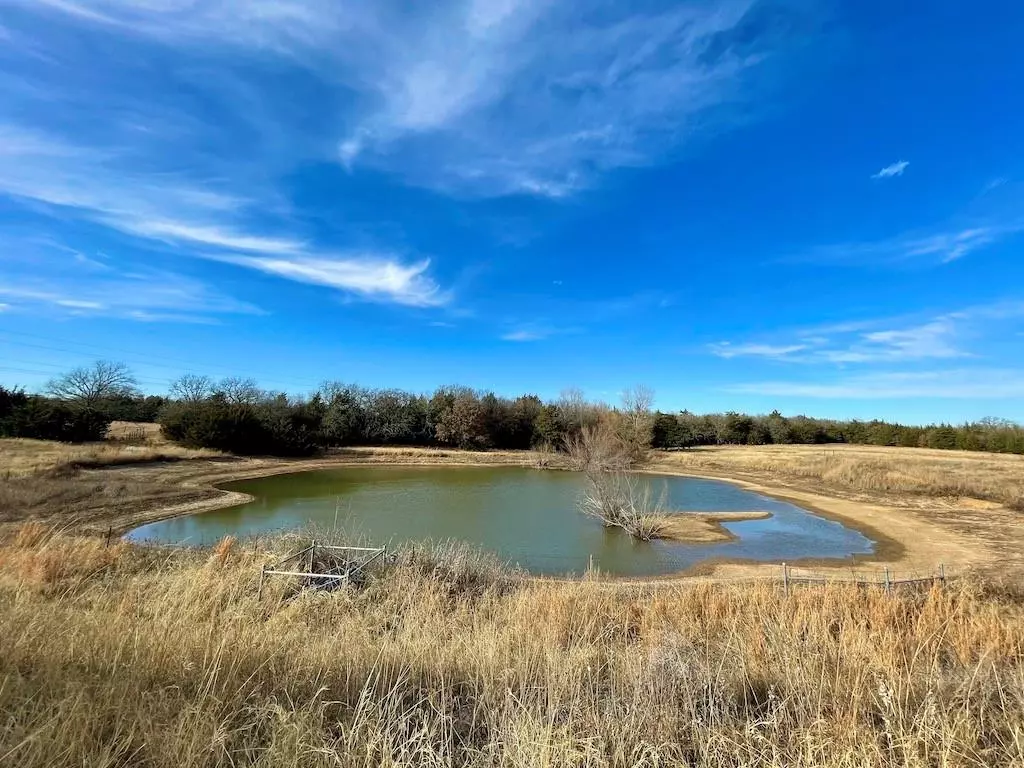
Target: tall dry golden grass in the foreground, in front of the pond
<point>125,657</point>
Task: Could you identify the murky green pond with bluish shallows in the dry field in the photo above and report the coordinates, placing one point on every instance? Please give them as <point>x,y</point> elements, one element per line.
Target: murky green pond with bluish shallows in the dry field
<point>526,517</point>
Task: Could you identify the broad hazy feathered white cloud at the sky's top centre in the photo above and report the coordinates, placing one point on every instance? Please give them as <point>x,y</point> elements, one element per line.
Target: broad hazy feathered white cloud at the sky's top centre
<point>531,97</point>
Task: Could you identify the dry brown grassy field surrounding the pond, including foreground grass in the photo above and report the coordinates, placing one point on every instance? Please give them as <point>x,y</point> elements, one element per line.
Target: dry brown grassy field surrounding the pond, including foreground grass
<point>113,655</point>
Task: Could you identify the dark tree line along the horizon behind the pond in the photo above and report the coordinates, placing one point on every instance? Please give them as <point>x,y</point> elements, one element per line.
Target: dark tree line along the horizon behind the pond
<point>238,416</point>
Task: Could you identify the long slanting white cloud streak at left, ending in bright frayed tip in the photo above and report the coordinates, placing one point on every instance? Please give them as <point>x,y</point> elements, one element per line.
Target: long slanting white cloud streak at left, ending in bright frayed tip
<point>55,174</point>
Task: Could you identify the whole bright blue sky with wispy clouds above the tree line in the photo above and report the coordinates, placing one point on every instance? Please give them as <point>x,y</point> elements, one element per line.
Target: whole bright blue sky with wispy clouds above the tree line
<point>816,207</point>
